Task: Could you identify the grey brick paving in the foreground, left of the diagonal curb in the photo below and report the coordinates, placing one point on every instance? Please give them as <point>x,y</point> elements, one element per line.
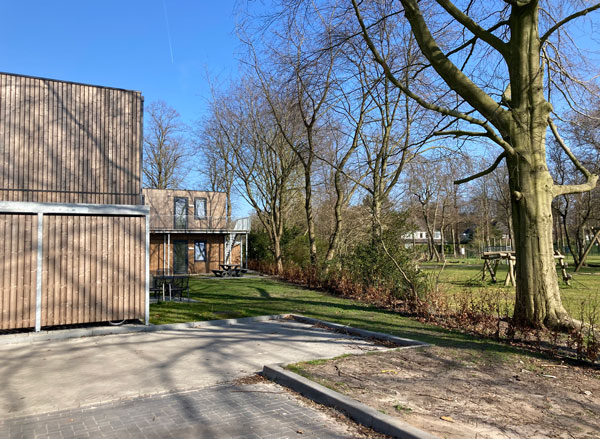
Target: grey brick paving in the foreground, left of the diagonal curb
<point>224,411</point>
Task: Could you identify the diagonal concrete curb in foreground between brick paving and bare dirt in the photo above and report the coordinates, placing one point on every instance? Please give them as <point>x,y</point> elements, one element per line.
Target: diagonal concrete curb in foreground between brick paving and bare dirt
<point>358,411</point>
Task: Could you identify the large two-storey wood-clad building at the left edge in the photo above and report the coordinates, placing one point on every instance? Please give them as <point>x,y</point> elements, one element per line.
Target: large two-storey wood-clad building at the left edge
<point>74,235</point>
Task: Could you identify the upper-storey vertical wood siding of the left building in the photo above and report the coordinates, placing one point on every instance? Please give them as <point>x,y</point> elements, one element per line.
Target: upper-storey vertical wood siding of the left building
<point>69,143</point>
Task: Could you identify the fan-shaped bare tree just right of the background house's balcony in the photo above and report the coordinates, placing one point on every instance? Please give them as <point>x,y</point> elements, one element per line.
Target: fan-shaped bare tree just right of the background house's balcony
<point>264,166</point>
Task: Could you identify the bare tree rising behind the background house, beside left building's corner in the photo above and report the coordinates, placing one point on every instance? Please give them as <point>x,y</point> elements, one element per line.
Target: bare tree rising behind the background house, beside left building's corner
<point>164,147</point>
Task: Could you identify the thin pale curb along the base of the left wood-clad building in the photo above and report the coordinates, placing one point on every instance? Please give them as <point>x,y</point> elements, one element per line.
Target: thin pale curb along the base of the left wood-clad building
<point>66,334</point>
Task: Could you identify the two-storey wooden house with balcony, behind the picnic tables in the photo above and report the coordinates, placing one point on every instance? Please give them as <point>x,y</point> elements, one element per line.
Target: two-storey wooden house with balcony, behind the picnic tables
<point>190,231</point>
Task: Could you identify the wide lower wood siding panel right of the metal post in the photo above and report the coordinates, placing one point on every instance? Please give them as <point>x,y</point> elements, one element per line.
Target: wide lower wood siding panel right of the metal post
<point>94,269</point>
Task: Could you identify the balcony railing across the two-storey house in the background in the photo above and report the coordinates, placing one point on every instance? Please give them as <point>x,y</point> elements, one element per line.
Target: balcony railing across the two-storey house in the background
<point>219,224</point>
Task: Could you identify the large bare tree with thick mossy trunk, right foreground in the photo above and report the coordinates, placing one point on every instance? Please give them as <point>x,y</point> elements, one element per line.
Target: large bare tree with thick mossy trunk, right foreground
<point>522,48</point>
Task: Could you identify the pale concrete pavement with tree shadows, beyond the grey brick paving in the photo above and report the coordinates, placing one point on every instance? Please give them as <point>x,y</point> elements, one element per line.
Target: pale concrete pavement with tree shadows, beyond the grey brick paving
<point>57,375</point>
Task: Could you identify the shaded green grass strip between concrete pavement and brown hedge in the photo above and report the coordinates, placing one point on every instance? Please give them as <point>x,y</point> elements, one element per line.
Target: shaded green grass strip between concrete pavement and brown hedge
<point>220,298</point>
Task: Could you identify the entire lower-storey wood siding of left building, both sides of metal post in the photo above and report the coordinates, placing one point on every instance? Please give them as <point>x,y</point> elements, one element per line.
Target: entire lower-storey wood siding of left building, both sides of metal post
<point>93,269</point>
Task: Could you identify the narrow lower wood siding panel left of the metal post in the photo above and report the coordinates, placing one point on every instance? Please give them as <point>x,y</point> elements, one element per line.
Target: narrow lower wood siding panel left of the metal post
<point>18,264</point>
